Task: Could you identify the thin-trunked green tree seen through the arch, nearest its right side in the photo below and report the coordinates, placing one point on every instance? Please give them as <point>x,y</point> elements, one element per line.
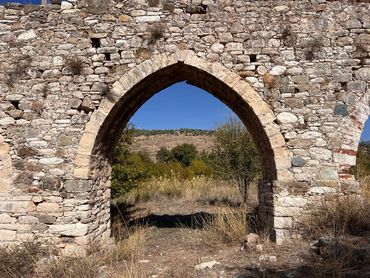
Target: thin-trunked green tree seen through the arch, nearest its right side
<point>234,155</point>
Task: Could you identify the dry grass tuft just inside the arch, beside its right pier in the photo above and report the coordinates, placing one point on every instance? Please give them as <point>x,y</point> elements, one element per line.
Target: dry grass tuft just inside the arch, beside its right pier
<point>228,225</point>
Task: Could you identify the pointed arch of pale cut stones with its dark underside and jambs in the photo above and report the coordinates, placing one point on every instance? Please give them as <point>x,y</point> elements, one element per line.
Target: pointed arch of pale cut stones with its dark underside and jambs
<point>91,164</point>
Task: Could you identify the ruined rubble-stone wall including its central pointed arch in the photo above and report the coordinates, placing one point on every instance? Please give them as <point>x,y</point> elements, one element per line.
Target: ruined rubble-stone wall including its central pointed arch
<point>297,73</point>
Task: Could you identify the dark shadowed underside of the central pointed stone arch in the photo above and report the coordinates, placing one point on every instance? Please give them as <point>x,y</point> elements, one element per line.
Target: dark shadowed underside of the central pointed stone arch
<point>131,101</point>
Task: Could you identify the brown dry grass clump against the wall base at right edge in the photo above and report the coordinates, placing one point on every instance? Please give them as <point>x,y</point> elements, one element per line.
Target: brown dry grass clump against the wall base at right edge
<point>343,216</point>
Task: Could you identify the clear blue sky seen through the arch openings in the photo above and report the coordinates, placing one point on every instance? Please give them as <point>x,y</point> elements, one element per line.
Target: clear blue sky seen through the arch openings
<point>185,106</point>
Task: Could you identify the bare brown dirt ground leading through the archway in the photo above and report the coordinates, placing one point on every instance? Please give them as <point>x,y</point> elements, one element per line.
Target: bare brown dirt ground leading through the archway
<point>176,247</point>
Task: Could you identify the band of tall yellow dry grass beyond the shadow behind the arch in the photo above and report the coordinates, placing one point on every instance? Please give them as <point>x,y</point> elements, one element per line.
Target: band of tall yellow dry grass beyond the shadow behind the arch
<point>199,189</point>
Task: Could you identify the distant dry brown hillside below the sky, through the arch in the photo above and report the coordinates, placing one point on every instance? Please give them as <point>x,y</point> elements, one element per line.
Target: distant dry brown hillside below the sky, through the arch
<point>150,141</point>
